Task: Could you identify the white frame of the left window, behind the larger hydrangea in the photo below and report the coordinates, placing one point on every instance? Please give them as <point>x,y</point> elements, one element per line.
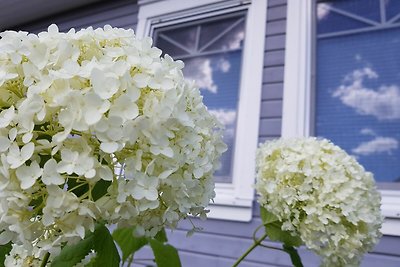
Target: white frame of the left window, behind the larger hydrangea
<point>234,201</point>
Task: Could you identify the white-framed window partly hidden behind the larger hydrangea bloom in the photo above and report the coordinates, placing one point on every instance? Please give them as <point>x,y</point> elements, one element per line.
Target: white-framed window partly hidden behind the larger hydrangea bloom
<point>222,45</point>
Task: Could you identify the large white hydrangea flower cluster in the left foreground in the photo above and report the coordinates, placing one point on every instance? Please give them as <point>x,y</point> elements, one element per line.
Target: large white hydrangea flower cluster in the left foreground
<point>76,108</point>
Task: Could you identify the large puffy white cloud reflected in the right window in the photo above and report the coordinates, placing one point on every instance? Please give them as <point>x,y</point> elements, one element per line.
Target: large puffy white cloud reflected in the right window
<point>383,102</point>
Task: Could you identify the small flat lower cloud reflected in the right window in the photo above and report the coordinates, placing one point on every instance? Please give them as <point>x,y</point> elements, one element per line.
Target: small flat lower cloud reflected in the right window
<point>377,145</point>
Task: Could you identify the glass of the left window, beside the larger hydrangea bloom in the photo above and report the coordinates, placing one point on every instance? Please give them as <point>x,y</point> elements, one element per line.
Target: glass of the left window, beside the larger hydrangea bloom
<point>212,58</point>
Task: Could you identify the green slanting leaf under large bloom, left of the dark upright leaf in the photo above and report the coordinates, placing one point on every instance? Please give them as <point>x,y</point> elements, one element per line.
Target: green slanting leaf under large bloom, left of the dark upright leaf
<point>73,254</point>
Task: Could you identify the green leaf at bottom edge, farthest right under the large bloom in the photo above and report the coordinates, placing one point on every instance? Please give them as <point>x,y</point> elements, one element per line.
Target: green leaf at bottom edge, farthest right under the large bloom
<point>165,255</point>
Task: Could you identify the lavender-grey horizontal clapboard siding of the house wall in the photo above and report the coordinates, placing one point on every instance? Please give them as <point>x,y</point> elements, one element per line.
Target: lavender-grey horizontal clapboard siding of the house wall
<point>222,242</point>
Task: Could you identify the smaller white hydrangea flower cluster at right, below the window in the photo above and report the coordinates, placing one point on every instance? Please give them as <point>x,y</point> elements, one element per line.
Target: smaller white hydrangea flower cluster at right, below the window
<point>322,195</point>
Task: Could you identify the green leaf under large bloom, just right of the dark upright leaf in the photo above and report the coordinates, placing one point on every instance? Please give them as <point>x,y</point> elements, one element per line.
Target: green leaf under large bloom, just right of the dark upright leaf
<point>128,242</point>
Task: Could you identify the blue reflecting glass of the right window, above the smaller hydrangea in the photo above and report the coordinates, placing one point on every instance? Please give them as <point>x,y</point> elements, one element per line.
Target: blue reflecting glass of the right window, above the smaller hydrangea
<point>358,91</point>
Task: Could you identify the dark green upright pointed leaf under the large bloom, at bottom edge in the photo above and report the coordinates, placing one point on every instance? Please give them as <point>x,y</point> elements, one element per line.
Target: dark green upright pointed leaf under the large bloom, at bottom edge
<point>107,253</point>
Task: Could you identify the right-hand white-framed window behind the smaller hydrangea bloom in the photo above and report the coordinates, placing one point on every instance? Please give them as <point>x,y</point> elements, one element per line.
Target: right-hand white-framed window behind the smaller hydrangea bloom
<point>346,77</point>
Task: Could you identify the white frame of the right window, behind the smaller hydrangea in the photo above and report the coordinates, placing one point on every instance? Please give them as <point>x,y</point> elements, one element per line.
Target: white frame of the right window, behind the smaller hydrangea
<point>297,94</point>
